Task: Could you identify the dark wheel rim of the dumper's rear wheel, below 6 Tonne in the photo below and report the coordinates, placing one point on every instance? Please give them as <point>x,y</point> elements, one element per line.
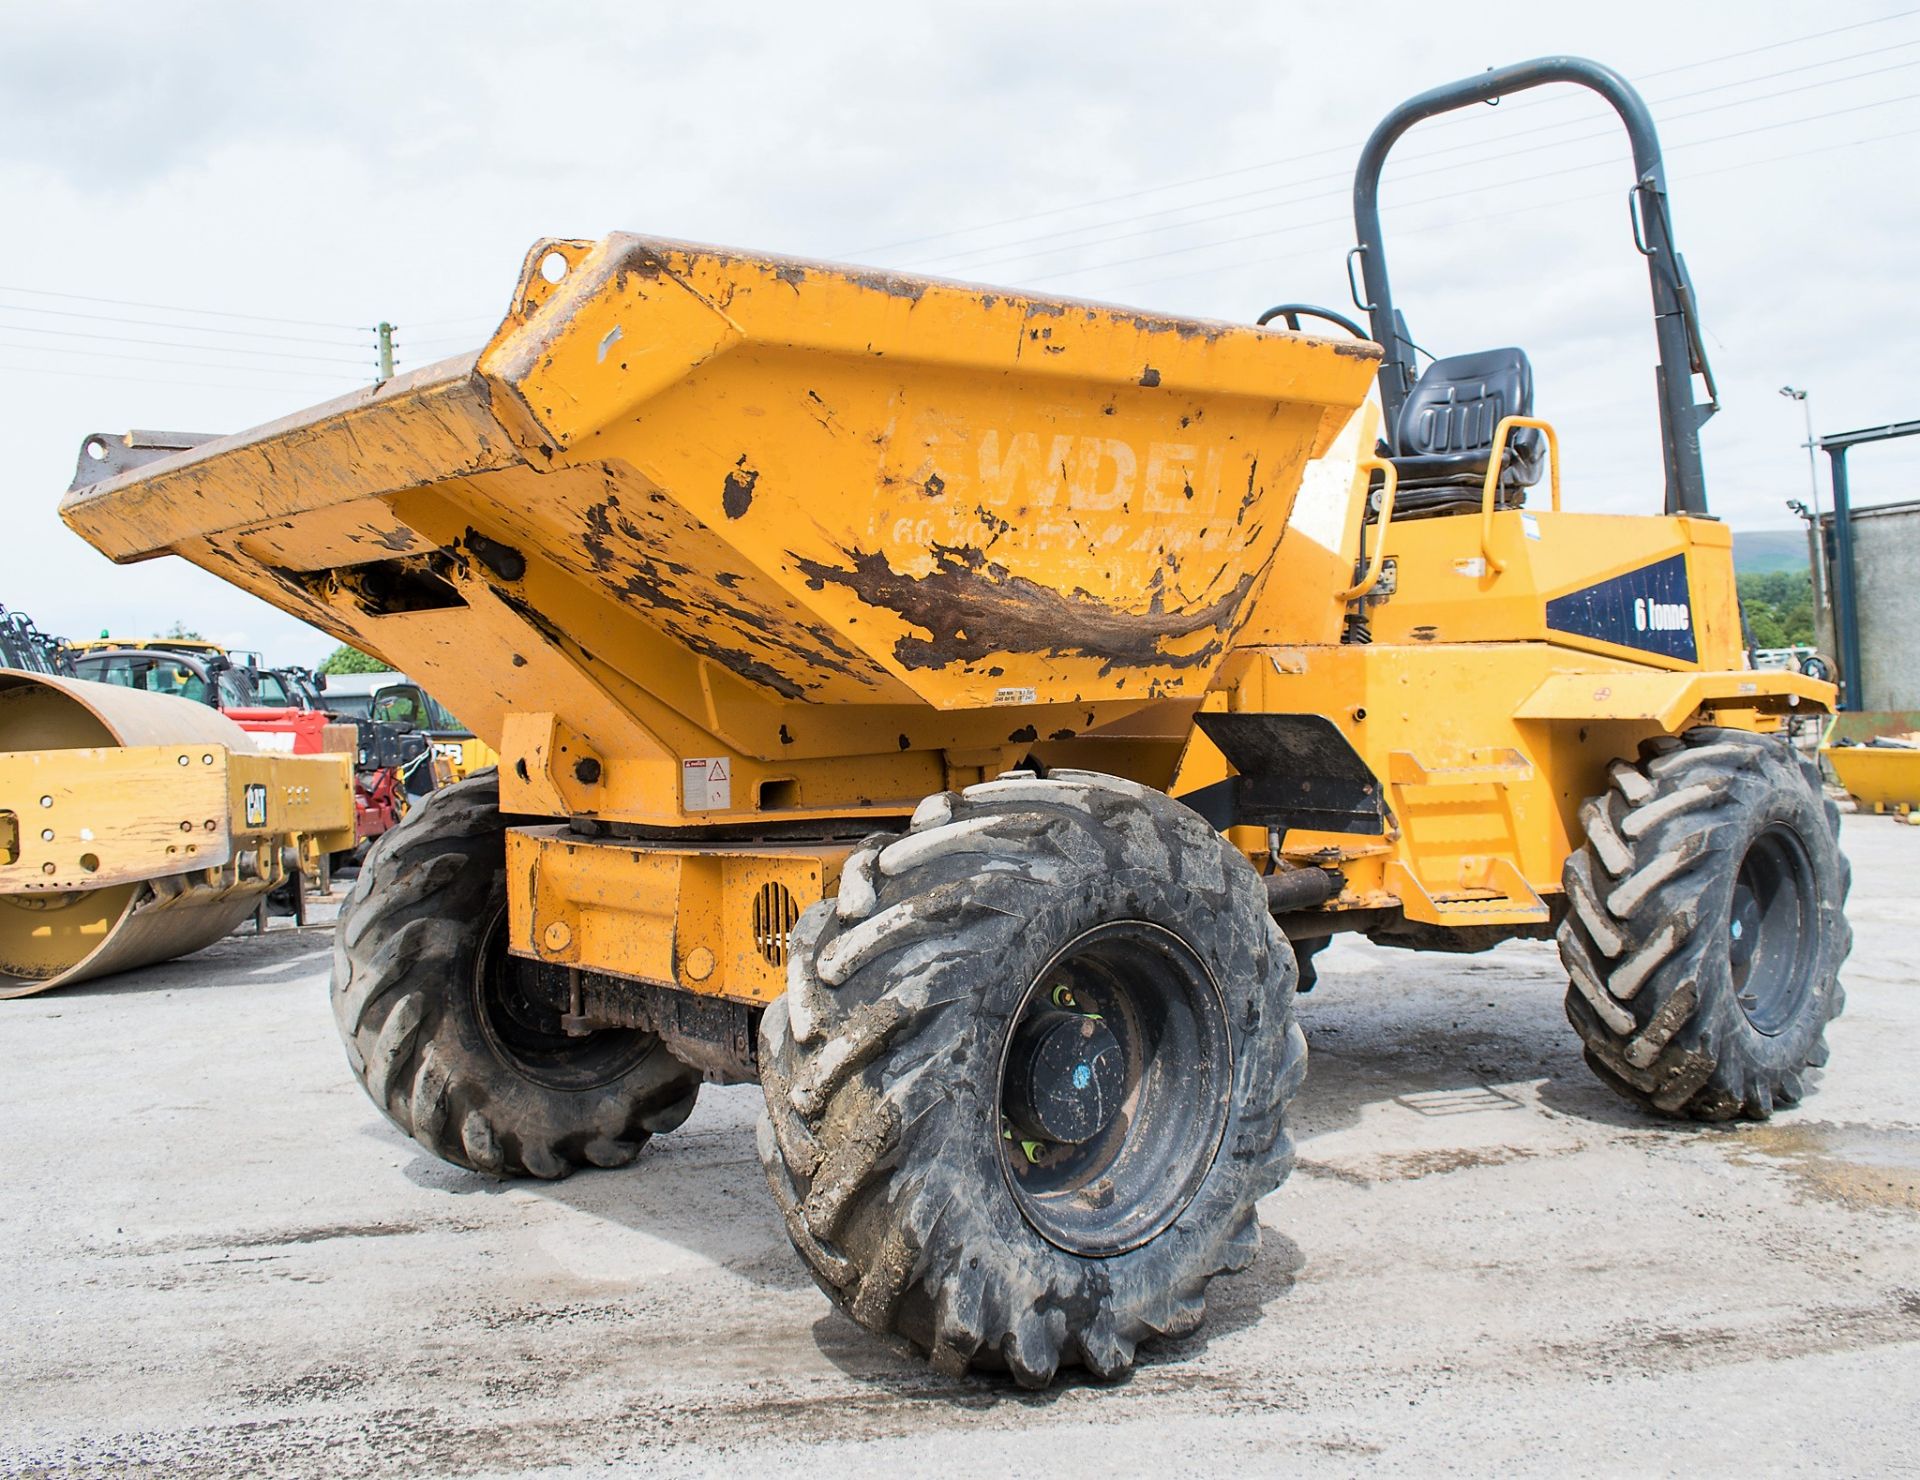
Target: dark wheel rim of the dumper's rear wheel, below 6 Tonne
<point>1771,930</point>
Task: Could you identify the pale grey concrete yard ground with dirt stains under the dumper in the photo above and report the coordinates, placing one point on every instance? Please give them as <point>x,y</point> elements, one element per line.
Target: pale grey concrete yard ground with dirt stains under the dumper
<point>222,1260</point>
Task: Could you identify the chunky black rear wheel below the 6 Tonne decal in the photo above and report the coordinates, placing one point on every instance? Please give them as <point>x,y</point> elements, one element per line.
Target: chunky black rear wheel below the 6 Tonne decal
<point>1706,926</point>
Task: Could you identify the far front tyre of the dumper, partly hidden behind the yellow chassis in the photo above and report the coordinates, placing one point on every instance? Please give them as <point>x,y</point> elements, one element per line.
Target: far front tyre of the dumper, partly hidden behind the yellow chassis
<point>441,1032</point>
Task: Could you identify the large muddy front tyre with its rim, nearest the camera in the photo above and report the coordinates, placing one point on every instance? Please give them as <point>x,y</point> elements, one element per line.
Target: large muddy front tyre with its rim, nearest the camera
<point>1030,1076</point>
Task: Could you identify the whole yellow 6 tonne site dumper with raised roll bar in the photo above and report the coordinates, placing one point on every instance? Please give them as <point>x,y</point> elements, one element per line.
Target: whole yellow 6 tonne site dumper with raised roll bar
<point>959,709</point>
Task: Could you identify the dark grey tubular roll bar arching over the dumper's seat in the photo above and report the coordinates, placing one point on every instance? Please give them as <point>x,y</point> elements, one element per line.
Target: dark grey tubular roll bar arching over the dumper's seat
<point>1675,312</point>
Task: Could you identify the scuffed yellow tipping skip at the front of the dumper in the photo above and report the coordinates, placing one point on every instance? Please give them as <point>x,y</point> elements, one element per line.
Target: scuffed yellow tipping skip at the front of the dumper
<point>734,487</point>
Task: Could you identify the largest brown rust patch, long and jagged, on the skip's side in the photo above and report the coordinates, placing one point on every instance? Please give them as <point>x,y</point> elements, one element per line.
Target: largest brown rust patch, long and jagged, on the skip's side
<point>972,608</point>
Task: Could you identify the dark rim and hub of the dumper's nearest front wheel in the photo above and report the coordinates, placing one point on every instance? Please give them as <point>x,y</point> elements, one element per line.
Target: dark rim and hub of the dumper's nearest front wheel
<point>1115,1089</point>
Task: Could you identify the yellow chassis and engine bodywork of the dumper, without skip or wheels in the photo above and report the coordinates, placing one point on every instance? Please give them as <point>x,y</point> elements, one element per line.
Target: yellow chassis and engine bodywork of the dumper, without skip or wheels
<point>1483,753</point>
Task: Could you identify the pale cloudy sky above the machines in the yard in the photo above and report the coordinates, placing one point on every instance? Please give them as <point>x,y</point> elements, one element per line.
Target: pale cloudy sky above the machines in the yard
<point>210,204</point>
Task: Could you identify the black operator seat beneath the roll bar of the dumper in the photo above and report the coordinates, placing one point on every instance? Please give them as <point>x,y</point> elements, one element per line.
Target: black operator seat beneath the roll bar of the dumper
<point>1445,433</point>
